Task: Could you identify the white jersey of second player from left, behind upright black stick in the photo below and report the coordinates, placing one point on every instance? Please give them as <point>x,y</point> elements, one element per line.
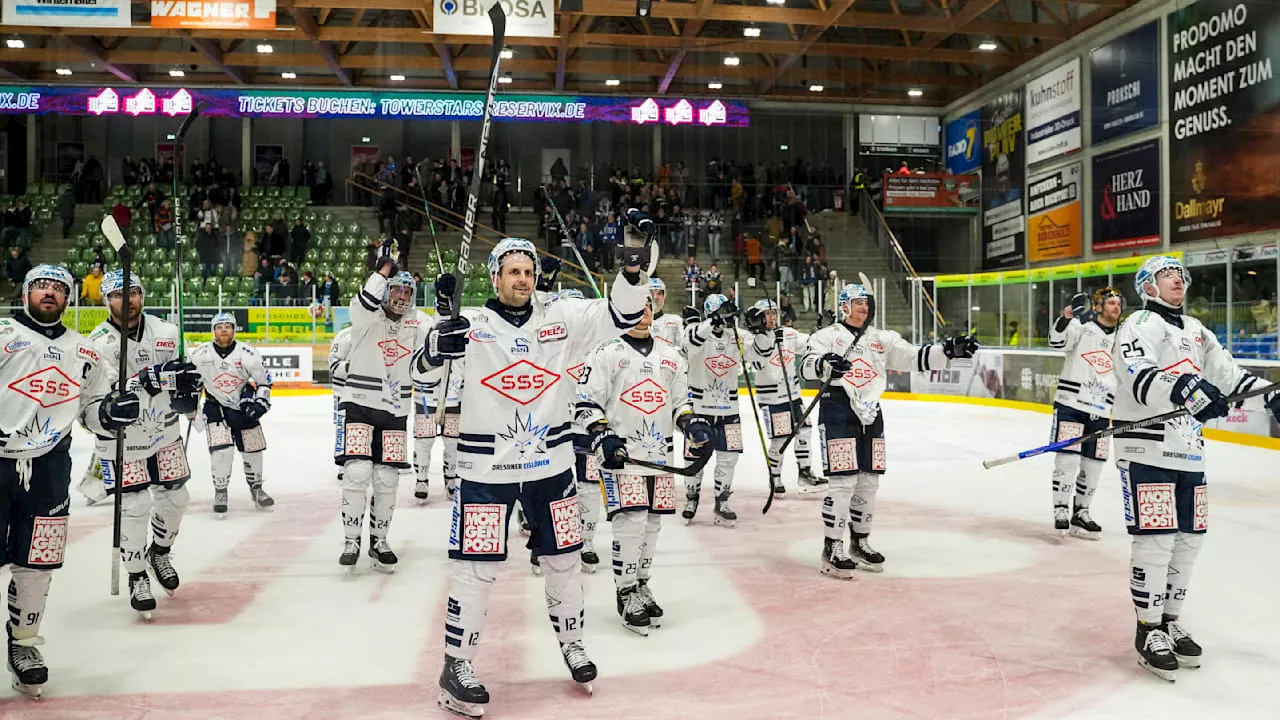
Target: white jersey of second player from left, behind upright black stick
<point>154,343</point>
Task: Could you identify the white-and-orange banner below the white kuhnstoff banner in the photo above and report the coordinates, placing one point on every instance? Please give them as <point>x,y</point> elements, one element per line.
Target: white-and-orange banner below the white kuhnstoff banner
<point>1054,222</point>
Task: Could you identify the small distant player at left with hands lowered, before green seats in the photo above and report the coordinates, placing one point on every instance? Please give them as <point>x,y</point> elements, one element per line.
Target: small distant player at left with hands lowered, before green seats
<point>237,395</point>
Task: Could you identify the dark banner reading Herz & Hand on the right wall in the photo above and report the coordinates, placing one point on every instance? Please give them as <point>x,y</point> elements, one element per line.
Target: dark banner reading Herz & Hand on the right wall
<point>1127,198</point>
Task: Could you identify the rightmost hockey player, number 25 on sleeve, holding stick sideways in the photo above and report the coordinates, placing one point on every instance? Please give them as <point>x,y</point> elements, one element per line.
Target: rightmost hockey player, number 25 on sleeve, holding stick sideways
<point>1172,362</point>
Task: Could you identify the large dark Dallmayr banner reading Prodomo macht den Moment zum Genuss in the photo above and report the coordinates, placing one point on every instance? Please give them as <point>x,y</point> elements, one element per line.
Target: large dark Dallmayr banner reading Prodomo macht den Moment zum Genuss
<point>1224,115</point>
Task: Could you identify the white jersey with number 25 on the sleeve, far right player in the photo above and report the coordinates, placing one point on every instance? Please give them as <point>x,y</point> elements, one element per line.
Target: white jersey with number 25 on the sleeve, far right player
<point>1155,348</point>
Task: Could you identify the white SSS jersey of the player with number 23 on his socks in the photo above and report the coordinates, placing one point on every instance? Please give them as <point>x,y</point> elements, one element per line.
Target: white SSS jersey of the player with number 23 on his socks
<point>639,395</point>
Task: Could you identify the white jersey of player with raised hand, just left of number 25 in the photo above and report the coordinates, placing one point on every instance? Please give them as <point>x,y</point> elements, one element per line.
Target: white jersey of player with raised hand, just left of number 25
<point>1087,382</point>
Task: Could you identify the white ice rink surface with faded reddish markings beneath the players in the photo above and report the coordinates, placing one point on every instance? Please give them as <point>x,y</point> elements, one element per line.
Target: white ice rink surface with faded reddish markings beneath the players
<point>981,613</point>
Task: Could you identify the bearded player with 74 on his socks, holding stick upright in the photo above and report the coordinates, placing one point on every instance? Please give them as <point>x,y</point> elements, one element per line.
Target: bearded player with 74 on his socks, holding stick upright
<point>154,479</point>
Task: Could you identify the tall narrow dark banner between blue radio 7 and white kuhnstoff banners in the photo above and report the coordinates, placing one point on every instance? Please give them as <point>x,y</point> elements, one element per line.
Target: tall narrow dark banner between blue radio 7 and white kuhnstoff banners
<point>1004,167</point>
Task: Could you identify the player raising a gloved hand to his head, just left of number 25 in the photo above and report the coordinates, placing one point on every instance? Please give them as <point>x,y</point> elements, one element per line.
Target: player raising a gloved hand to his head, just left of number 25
<point>1082,405</point>
